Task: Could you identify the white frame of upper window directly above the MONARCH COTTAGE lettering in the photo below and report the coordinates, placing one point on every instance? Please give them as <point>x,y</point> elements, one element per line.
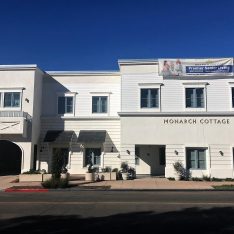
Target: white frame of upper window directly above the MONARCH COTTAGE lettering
<point>194,86</point>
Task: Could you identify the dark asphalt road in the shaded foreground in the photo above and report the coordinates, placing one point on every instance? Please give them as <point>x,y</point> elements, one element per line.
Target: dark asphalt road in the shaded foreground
<point>117,211</point>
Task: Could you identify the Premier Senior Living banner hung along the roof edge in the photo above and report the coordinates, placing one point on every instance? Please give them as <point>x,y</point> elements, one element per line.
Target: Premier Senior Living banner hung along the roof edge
<point>196,67</point>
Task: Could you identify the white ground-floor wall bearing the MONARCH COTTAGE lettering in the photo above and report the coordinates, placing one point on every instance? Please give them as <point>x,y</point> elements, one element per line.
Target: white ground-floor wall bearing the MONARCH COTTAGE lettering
<point>179,136</point>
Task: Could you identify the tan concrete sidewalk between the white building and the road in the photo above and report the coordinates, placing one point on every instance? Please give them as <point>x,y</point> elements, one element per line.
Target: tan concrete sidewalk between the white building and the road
<point>149,183</point>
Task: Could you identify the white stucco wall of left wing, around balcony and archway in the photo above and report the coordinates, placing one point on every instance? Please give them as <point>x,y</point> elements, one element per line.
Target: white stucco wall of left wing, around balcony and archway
<point>23,78</point>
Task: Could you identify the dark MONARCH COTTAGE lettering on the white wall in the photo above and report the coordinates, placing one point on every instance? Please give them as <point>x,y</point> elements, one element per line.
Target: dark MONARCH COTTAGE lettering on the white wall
<point>191,121</point>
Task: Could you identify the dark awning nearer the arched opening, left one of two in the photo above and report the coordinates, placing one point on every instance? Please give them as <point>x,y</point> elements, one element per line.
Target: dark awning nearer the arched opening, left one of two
<point>58,136</point>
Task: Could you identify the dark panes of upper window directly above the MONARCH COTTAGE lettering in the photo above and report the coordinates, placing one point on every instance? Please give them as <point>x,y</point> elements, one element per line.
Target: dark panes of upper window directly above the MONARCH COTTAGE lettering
<point>194,97</point>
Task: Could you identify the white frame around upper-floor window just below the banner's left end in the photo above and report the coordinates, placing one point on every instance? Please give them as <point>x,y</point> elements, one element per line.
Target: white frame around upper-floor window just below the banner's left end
<point>149,86</point>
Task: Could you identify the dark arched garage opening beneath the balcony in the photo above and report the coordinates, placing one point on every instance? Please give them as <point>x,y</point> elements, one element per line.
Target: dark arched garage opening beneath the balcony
<point>10,158</point>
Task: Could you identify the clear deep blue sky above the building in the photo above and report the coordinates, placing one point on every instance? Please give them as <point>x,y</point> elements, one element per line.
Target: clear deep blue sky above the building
<point>94,34</point>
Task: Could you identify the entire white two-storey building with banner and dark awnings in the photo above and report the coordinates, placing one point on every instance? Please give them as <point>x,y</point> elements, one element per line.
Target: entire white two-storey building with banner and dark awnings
<point>151,114</point>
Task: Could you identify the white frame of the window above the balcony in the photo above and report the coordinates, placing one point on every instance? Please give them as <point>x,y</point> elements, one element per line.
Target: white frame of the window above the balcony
<point>11,90</point>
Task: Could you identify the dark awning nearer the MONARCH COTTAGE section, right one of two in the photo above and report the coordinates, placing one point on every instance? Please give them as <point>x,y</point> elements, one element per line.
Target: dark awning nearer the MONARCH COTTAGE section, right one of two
<point>92,136</point>
